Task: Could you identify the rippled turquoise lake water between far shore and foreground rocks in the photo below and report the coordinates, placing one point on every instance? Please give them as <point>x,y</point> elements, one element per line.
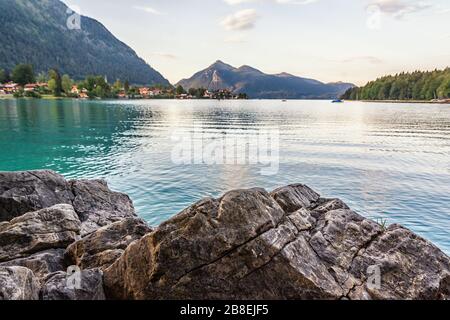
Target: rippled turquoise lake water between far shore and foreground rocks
<point>389,161</point>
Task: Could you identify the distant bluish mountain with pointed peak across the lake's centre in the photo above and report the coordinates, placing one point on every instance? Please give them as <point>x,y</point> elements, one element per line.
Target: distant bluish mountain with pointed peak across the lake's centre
<point>259,85</point>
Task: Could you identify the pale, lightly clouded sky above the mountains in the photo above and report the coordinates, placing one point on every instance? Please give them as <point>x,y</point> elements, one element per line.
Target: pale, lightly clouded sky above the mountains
<point>328,40</point>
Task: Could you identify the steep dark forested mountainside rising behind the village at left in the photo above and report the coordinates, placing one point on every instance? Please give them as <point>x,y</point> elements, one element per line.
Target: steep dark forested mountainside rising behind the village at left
<point>36,32</point>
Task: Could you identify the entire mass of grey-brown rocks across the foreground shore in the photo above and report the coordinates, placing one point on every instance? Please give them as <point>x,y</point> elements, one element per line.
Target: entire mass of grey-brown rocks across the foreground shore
<point>249,244</point>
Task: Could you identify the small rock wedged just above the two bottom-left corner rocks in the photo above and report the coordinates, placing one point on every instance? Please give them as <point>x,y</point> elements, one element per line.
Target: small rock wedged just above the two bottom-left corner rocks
<point>42,263</point>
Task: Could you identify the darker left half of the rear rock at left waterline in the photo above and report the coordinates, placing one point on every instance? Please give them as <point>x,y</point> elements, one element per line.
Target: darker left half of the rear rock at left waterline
<point>22,192</point>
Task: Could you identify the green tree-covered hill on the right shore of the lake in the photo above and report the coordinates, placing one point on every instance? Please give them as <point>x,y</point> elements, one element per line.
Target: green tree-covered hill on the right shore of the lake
<point>405,86</point>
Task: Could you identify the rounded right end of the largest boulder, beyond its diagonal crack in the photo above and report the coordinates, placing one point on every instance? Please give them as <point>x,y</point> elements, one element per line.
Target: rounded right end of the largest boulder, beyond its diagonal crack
<point>411,267</point>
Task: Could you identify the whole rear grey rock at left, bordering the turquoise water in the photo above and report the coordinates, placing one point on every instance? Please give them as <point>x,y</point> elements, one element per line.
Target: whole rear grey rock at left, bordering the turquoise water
<point>95,204</point>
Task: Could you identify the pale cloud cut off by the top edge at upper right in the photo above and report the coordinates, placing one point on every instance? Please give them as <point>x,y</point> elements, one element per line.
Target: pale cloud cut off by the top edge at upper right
<point>399,8</point>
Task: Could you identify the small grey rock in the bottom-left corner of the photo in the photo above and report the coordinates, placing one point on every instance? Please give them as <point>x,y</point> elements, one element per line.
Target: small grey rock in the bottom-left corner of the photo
<point>18,283</point>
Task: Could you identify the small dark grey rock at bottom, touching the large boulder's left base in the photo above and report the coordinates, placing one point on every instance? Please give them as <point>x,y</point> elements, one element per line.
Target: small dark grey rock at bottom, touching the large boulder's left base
<point>59,286</point>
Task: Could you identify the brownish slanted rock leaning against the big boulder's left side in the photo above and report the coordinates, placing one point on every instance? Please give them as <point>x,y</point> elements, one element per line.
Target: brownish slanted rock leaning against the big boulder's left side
<point>103,247</point>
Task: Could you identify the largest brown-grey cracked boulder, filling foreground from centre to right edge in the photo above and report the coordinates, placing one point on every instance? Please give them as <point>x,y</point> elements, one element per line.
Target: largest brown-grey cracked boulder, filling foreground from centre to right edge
<point>290,244</point>
